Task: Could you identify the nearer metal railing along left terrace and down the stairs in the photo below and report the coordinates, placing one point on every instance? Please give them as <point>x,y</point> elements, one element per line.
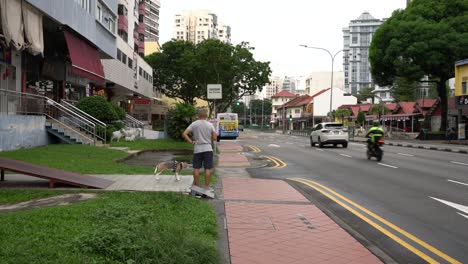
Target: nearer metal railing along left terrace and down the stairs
<point>13,102</point>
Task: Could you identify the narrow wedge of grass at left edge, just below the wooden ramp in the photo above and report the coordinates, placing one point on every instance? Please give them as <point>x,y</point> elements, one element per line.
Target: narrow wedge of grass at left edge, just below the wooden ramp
<point>9,196</point>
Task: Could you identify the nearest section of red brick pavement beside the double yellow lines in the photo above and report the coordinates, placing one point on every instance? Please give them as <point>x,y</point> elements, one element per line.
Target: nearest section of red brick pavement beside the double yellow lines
<point>276,225</point>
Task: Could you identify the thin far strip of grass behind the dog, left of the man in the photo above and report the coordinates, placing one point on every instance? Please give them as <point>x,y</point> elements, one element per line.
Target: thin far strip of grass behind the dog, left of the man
<point>153,144</point>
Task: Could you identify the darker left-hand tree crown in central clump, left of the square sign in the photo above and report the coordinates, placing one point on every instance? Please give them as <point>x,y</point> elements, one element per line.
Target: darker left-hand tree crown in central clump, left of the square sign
<point>176,70</point>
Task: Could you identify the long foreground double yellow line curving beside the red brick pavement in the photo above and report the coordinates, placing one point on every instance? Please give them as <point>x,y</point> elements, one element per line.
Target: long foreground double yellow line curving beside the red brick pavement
<point>347,204</point>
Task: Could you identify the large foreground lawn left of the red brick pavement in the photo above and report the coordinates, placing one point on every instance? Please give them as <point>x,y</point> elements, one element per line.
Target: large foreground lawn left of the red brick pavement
<point>116,227</point>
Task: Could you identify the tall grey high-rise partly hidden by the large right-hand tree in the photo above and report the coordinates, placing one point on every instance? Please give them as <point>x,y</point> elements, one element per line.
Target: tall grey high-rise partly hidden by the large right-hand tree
<point>356,41</point>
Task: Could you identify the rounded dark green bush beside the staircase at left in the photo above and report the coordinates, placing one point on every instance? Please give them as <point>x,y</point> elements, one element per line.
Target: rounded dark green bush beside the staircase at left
<point>98,107</point>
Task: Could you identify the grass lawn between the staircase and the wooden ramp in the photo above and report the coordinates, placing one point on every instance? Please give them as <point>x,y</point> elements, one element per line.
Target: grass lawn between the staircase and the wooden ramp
<point>78,158</point>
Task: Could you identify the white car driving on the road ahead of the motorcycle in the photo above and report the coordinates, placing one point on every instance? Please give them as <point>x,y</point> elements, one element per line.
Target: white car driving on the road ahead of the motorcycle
<point>329,134</point>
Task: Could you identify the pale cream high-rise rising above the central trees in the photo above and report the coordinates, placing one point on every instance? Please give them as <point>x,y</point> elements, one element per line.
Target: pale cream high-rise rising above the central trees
<point>198,25</point>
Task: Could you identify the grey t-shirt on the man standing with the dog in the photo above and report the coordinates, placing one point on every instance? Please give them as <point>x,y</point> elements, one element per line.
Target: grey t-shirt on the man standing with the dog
<point>202,131</point>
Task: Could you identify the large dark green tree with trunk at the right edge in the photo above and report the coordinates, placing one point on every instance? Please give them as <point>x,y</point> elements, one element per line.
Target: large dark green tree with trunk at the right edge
<point>425,39</point>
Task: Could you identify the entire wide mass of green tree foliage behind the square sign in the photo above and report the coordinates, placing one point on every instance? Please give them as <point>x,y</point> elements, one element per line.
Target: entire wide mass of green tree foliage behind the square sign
<point>183,70</point>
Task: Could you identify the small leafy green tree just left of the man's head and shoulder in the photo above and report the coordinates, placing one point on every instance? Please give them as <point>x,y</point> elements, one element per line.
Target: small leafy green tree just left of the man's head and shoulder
<point>179,119</point>
